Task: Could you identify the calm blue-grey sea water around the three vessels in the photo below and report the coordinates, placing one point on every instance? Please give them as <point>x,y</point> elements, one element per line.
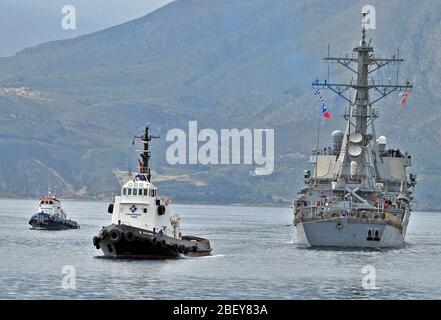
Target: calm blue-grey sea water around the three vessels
<point>255,256</point>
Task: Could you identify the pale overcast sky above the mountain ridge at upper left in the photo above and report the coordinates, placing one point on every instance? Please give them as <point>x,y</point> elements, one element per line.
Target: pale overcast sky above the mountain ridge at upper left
<point>25,23</point>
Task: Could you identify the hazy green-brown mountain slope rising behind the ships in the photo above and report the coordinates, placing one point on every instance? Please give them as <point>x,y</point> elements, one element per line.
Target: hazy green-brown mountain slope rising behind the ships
<point>227,64</point>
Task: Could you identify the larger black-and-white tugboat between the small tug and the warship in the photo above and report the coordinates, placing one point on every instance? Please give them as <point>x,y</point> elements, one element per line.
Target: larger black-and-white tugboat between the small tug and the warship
<point>143,225</point>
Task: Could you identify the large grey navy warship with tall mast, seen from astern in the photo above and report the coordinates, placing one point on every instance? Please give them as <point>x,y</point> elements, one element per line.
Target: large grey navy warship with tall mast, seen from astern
<point>359,193</point>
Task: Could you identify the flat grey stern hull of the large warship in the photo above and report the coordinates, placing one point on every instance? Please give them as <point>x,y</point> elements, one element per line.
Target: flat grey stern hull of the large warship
<point>343,232</point>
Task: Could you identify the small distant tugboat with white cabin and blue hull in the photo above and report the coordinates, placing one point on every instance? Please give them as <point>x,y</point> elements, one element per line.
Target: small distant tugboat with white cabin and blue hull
<point>50,214</point>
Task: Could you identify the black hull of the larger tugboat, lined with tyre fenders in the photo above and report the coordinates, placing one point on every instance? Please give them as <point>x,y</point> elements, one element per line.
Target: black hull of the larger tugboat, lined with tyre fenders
<point>122,241</point>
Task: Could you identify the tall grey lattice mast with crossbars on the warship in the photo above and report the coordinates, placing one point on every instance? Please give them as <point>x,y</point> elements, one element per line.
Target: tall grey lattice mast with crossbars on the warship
<point>361,115</point>
